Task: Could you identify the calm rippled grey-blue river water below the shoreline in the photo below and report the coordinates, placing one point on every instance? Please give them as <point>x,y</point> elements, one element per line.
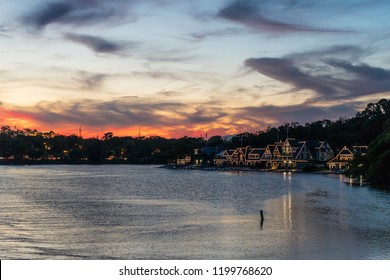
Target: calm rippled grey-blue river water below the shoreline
<point>144,212</point>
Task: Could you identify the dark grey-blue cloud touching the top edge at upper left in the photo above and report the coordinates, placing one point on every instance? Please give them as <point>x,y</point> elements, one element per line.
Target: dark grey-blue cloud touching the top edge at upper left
<point>78,12</point>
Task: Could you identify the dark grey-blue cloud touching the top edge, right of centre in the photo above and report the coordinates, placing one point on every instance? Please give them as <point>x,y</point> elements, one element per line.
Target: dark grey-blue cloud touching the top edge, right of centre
<point>265,16</point>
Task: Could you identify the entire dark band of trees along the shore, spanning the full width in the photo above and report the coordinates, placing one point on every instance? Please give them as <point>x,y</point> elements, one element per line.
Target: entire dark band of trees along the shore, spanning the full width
<point>369,127</point>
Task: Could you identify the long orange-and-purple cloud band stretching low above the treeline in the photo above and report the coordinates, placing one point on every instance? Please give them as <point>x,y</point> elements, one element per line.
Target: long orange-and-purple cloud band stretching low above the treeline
<point>173,116</point>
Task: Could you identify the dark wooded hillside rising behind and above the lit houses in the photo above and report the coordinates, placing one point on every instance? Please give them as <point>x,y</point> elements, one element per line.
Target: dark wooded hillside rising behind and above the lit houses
<point>359,130</point>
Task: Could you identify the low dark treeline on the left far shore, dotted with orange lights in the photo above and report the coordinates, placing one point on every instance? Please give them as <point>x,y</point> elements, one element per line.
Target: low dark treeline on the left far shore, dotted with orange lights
<point>31,146</point>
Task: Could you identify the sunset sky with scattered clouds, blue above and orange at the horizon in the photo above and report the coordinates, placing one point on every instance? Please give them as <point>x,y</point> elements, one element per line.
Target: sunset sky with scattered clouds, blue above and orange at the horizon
<point>189,68</point>
